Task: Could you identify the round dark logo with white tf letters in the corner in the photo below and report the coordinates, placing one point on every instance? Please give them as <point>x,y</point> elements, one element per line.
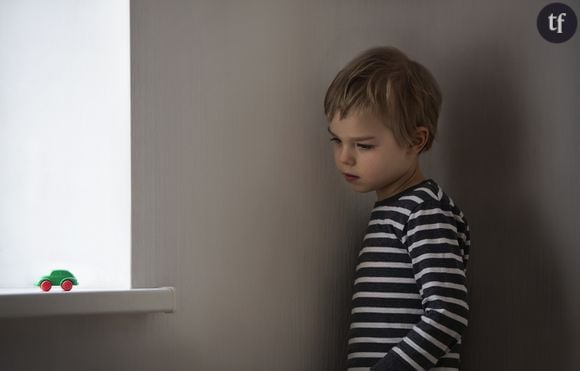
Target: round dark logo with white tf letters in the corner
<point>557,22</point>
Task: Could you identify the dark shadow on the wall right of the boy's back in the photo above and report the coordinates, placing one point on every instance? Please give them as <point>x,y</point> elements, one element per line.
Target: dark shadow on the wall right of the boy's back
<point>518,320</point>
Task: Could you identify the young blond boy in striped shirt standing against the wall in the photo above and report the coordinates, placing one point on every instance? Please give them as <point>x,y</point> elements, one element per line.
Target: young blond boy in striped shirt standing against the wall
<point>409,307</point>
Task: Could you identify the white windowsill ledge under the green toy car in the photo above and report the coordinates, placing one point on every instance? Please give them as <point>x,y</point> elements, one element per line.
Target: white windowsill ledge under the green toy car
<point>34,303</point>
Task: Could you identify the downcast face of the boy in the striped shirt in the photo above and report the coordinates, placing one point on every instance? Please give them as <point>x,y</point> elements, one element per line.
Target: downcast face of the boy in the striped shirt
<point>379,162</point>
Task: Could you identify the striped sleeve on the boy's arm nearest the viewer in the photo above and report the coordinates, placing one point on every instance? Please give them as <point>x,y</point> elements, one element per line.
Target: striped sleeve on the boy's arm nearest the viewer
<point>435,238</point>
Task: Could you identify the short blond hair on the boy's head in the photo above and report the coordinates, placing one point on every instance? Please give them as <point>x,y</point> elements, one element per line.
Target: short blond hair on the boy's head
<point>385,82</point>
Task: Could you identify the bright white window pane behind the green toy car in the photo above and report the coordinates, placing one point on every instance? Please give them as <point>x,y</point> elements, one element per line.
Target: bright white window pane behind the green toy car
<point>65,200</point>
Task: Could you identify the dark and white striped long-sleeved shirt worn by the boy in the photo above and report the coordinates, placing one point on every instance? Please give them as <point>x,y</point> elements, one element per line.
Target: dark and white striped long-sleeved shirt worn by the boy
<point>409,303</point>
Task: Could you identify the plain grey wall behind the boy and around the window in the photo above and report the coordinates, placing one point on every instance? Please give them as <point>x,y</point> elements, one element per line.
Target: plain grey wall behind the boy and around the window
<point>237,204</point>
